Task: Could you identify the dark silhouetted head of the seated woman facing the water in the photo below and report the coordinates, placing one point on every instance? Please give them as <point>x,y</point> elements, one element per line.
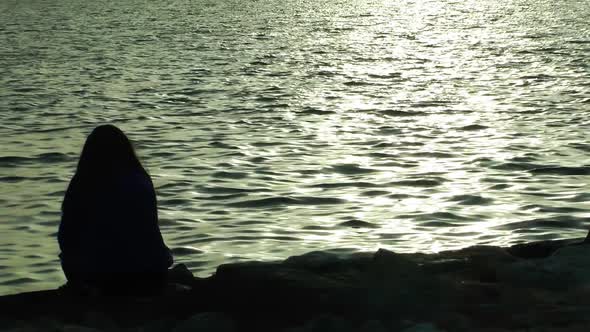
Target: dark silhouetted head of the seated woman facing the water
<point>107,151</point>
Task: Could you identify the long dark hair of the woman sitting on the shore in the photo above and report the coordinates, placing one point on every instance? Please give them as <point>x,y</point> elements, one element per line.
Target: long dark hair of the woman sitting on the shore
<point>106,154</point>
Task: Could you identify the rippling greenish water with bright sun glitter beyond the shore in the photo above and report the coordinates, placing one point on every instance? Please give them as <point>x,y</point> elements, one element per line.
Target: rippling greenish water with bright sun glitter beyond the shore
<point>273,128</point>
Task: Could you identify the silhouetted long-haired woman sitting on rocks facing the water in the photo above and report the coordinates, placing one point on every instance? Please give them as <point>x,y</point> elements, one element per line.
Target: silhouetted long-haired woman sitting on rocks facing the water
<point>109,235</point>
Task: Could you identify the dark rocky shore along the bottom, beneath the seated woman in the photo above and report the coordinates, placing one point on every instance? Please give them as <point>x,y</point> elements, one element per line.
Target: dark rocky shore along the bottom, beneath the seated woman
<point>541,286</point>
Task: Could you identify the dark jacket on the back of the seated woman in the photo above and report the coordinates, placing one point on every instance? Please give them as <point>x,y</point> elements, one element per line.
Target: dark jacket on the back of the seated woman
<point>110,228</point>
